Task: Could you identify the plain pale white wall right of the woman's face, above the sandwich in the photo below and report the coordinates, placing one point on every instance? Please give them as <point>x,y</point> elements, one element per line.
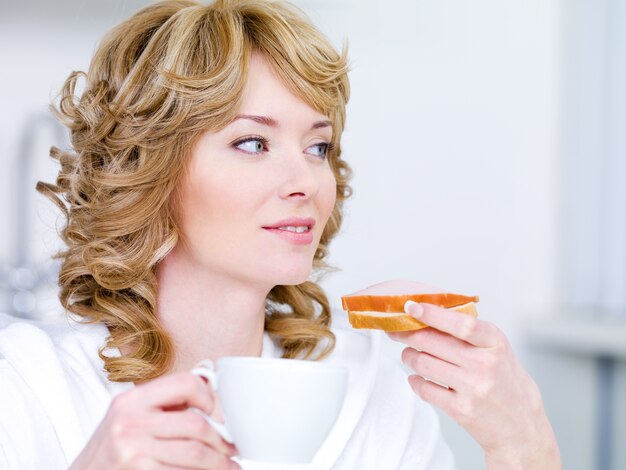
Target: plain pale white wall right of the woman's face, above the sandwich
<point>452,133</point>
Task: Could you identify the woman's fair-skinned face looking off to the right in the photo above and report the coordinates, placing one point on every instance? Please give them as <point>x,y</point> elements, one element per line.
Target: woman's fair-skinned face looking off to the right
<point>259,192</point>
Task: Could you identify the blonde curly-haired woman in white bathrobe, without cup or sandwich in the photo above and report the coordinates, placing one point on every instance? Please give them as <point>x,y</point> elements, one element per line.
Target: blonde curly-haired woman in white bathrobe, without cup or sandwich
<point>205,183</point>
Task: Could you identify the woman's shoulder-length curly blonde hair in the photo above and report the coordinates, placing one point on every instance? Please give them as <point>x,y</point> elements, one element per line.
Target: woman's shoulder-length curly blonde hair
<point>172,71</point>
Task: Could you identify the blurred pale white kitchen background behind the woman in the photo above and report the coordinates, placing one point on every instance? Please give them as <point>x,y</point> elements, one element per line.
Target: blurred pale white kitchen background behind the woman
<point>488,142</point>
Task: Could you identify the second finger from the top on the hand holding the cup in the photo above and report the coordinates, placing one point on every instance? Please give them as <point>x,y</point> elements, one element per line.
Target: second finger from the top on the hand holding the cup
<point>187,425</point>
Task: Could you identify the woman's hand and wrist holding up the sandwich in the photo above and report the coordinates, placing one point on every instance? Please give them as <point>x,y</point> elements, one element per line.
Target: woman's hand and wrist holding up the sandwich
<point>483,387</point>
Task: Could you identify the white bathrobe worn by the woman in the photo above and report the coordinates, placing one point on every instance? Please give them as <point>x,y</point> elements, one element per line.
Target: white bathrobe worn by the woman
<point>54,392</point>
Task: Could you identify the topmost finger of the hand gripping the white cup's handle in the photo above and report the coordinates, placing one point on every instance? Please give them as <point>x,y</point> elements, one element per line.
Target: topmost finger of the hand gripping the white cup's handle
<point>174,391</point>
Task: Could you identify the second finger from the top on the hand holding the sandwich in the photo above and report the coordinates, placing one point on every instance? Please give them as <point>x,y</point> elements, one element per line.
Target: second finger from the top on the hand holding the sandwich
<point>436,343</point>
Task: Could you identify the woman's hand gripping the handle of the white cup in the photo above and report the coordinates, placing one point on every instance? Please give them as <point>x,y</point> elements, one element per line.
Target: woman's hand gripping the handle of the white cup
<point>151,426</point>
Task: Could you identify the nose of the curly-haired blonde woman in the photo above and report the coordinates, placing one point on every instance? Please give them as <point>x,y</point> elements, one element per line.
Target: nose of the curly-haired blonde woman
<point>299,177</point>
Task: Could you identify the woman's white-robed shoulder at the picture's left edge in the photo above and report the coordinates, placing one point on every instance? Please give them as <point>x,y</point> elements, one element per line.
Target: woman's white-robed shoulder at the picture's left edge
<point>54,389</point>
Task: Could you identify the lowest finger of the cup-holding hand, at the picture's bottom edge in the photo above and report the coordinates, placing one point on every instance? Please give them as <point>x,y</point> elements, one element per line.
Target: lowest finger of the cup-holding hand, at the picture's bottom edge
<point>188,454</point>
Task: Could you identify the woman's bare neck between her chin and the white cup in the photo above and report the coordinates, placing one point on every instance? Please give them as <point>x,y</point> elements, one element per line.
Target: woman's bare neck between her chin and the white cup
<point>207,315</point>
